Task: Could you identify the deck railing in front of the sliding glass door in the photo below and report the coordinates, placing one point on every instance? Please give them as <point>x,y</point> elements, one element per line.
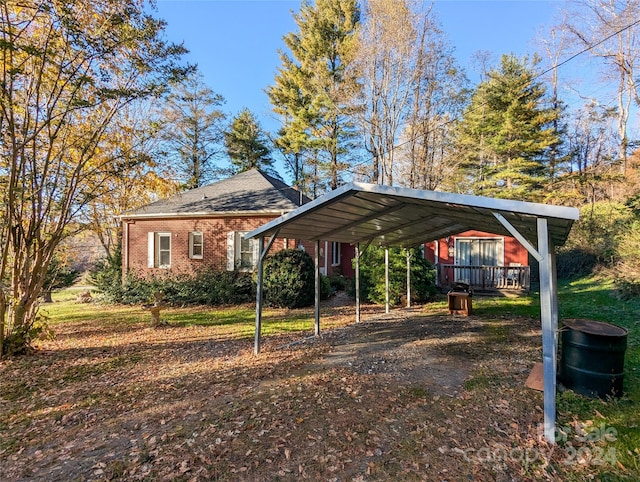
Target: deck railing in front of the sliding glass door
<point>485,277</point>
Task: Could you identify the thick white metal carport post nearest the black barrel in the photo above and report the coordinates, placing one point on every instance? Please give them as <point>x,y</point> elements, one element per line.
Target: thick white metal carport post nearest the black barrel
<point>549,318</point>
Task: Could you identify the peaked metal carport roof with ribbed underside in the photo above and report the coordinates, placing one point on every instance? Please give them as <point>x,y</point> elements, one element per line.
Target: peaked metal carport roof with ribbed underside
<point>393,216</point>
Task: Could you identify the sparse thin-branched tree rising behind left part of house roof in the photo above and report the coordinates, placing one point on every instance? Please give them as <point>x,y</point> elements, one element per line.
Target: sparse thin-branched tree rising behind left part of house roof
<point>193,131</point>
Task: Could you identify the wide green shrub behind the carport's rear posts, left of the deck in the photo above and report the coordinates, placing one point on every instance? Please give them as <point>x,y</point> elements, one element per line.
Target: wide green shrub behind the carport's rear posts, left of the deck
<point>372,276</point>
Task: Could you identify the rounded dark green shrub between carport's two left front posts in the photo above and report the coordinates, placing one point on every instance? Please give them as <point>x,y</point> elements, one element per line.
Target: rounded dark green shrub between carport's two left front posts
<point>289,279</point>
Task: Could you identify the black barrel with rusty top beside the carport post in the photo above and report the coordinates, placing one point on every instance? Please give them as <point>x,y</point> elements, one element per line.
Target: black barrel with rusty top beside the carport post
<point>592,361</point>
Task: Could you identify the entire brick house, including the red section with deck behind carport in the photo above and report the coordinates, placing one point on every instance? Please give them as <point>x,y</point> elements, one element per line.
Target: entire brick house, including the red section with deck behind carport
<point>204,228</point>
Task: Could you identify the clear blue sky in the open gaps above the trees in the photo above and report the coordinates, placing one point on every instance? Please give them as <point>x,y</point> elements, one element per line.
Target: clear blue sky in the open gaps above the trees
<point>235,42</point>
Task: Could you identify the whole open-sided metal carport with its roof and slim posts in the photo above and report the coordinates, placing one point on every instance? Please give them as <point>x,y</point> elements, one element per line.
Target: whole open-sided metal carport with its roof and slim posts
<point>360,213</point>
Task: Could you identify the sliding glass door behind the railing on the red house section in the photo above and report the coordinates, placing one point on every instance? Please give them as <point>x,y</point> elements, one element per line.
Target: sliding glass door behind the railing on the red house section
<point>472,254</point>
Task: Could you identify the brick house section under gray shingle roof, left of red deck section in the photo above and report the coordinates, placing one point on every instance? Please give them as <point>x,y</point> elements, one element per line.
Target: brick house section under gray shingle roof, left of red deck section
<point>205,228</point>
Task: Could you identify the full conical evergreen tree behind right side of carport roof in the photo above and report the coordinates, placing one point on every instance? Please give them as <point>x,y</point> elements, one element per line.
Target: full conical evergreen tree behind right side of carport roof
<point>506,133</point>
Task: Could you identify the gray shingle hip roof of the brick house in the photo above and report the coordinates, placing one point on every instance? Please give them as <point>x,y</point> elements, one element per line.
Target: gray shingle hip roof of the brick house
<point>248,192</point>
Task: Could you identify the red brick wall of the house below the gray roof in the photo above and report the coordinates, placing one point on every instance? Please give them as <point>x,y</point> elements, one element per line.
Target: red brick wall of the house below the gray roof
<point>215,242</point>
